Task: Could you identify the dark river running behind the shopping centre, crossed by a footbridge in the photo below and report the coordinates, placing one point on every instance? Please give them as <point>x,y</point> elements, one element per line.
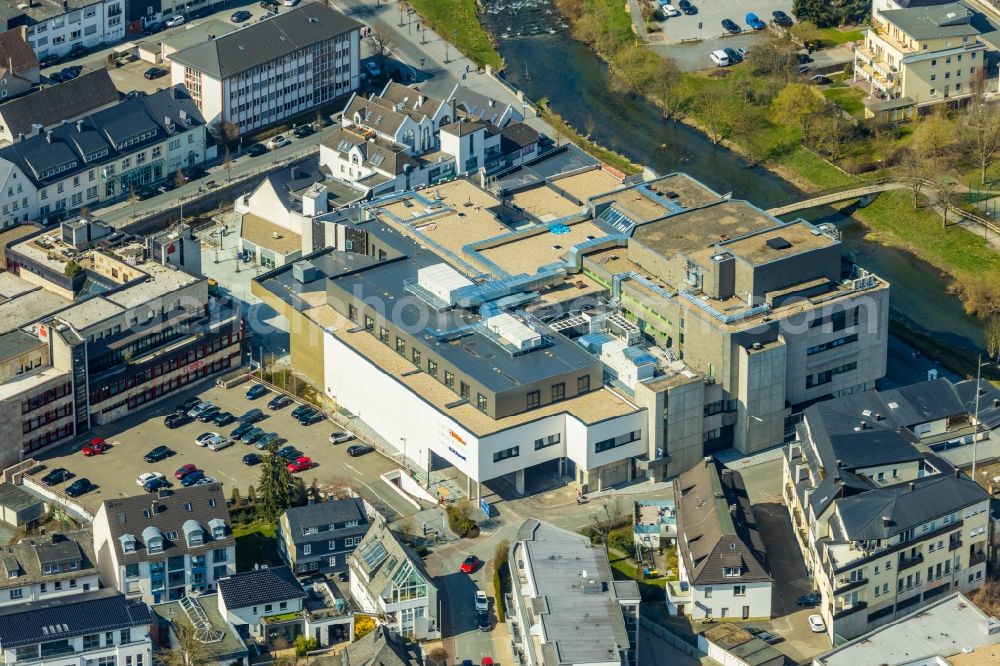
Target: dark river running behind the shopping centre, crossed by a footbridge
<point>544,61</point>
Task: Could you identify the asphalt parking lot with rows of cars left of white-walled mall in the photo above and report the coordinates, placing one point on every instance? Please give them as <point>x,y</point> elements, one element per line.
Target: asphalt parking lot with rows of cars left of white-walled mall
<point>115,472</point>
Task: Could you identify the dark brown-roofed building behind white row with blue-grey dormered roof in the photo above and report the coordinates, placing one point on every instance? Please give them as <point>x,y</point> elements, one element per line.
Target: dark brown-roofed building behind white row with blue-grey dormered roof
<point>52,105</point>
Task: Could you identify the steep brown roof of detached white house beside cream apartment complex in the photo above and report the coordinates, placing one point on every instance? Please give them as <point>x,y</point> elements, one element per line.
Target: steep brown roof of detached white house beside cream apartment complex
<point>715,536</point>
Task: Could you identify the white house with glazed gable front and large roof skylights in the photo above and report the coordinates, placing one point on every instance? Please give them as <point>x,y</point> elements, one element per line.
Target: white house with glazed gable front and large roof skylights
<point>389,579</point>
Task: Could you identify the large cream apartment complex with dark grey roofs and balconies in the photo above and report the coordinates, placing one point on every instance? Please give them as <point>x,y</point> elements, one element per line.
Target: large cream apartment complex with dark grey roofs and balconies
<point>885,524</point>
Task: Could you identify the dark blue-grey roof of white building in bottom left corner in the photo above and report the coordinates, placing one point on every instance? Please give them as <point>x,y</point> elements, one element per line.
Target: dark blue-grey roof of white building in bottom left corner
<point>65,617</point>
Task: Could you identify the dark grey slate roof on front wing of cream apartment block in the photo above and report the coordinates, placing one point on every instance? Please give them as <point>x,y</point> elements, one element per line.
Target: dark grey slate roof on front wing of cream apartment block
<point>931,497</point>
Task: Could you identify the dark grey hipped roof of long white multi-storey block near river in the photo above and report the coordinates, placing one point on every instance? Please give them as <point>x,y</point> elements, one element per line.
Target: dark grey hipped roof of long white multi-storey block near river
<point>260,43</point>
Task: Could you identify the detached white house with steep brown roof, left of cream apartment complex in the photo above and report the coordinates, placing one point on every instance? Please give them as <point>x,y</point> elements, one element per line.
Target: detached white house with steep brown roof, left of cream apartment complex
<point>720,554</point>
